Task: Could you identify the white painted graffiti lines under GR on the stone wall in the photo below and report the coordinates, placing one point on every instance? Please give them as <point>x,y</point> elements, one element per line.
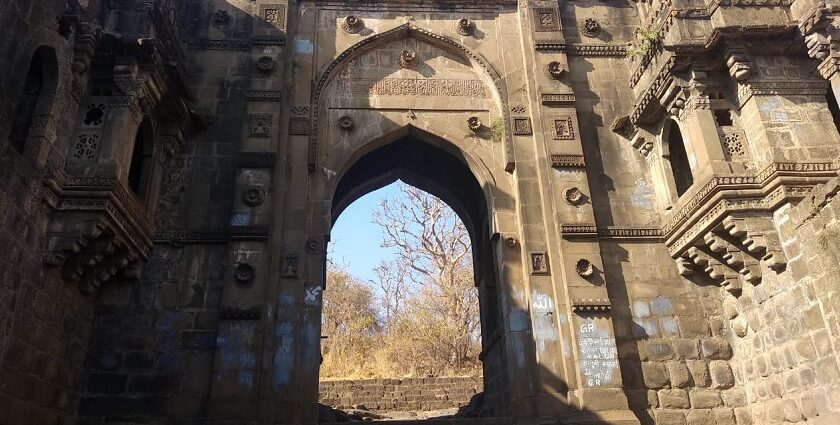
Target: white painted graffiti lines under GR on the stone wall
<point>598,355</point>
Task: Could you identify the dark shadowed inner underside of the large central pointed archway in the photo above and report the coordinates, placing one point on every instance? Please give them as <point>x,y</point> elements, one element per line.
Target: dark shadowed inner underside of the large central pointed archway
<point>445,174</point>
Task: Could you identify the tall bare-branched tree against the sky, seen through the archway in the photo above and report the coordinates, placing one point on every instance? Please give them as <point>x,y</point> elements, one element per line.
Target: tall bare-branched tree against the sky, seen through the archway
<point>434,248</point>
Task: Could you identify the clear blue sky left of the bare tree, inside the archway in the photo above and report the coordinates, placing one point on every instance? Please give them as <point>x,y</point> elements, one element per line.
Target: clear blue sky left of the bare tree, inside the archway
<point>356,241</point>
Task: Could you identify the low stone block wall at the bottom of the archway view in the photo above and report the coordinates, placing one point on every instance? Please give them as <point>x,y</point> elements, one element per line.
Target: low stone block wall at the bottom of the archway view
<point>405,394</point>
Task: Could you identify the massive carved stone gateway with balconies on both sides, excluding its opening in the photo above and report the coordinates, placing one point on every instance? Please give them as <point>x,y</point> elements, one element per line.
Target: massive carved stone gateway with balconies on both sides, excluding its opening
<point>649,187</point>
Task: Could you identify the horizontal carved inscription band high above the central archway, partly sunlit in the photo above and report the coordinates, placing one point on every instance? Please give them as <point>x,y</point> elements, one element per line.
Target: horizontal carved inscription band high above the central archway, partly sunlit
<point>346,87</point>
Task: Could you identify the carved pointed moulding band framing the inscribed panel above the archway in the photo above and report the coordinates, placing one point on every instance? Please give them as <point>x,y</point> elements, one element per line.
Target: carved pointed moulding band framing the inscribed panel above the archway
<point>328,73</point>
